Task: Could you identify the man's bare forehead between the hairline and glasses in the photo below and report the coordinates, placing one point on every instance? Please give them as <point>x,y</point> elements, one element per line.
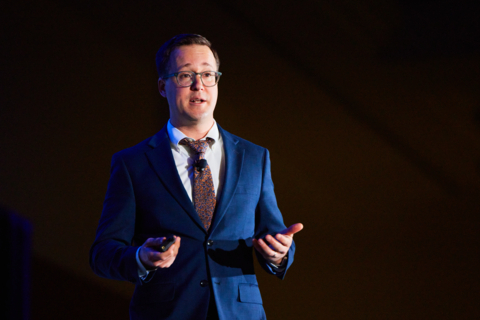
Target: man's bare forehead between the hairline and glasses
<point>192,56</point>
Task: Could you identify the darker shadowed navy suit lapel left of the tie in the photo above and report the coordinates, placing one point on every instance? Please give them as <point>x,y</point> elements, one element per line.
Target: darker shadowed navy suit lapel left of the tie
<point>161,159</point>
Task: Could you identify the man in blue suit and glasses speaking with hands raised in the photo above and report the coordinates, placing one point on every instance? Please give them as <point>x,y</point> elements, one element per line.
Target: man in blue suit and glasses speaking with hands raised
<point>203,188</point>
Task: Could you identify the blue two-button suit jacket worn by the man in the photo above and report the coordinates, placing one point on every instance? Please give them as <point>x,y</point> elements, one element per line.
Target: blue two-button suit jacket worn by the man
<point>145,198</point>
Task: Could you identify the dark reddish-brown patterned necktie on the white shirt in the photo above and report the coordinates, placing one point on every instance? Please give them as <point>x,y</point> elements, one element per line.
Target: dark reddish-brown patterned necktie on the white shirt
<point>203,189</point>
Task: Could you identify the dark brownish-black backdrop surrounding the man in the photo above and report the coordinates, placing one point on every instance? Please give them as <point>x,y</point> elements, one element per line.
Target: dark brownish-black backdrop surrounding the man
<point>370,110</point>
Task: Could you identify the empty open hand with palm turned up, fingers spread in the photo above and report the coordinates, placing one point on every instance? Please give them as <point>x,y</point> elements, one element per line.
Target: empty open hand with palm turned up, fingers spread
<point>275,248</point>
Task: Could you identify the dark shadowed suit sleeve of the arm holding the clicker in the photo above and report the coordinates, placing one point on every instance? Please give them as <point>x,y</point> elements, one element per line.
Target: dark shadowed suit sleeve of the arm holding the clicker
<point>112,254</point>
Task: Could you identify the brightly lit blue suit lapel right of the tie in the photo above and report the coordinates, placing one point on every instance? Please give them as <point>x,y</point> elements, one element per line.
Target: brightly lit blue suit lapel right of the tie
<point>233,168</point>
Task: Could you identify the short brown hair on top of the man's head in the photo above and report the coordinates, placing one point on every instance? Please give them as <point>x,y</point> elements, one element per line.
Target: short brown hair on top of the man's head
<point>163,55</point>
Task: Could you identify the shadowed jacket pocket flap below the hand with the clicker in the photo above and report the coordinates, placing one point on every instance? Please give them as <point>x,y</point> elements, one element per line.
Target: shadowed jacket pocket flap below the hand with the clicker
<point>153,293</point>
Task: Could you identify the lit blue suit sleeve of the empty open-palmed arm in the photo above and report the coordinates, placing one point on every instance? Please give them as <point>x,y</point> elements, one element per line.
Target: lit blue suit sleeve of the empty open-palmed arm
<point>268,218</point>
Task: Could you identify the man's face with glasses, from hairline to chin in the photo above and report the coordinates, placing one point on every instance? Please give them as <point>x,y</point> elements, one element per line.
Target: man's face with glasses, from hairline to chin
<point>195,104</point>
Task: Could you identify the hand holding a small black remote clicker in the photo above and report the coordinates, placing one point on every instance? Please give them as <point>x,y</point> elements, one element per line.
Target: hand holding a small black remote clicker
<point>152,258</point>
